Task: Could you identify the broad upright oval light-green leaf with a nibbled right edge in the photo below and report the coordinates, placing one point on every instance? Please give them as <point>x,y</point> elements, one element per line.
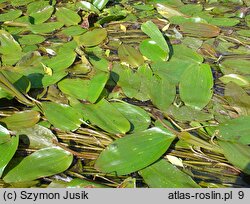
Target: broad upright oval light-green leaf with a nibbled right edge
<point>196,86</point>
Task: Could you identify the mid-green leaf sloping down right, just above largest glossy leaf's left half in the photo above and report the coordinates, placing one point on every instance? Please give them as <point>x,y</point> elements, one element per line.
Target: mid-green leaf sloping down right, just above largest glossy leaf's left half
<point>107,117</point>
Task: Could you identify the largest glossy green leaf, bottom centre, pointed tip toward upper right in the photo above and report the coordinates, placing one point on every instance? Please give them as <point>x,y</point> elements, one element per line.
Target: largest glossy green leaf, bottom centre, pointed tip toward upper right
<point>134,152</point>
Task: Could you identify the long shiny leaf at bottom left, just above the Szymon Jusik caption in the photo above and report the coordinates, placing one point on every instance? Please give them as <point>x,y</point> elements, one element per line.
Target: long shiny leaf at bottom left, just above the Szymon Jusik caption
<point>45,162</point>
